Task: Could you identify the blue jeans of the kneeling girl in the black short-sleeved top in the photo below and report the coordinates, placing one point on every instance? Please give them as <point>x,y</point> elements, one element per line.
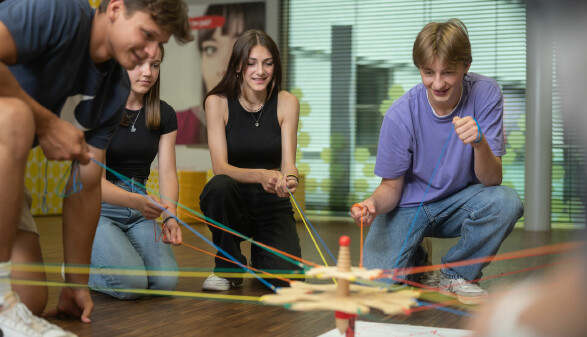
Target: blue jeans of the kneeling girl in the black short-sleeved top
<point>126,240</point>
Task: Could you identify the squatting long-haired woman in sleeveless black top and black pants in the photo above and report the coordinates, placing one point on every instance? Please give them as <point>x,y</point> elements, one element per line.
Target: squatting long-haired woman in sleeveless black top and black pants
<point>252,135</point>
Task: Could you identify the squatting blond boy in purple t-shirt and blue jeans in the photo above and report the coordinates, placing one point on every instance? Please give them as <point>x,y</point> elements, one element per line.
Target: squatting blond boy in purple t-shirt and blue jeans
<point>447,132</point>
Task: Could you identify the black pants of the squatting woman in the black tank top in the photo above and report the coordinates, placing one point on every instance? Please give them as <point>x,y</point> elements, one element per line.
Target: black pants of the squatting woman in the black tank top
<point>251,211</point>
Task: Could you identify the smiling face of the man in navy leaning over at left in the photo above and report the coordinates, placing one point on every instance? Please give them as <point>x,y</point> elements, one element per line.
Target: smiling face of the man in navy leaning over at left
<point>133,38</point>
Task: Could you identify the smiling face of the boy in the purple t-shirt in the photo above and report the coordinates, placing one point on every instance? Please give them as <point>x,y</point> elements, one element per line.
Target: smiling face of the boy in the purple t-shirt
<point>443,84</point>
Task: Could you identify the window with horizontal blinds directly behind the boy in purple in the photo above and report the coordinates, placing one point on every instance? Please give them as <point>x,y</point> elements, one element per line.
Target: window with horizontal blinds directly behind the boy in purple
<point>338,131</point>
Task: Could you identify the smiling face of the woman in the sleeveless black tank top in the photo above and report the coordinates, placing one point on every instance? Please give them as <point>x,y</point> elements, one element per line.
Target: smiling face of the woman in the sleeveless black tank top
<point>258,72</point>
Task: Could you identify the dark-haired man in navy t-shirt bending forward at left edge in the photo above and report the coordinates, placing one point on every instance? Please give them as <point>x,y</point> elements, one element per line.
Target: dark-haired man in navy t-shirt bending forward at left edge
<point>60,72</point>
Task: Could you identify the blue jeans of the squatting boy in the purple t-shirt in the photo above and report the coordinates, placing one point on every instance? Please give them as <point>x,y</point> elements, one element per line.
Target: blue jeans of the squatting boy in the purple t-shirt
<point>481,216</point>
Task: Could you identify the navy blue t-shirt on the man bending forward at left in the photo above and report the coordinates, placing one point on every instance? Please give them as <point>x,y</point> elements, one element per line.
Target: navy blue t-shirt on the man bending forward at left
<point>54,66</point>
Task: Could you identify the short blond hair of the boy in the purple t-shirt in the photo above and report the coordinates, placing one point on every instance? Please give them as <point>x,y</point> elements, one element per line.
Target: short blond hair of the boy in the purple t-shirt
<point>448,41</point>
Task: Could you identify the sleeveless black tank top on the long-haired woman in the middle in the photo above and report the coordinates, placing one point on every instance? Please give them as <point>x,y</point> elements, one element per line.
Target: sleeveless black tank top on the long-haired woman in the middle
<point>250,146</point>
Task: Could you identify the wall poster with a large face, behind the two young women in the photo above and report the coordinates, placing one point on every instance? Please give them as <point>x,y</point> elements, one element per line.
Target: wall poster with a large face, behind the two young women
<point>216,27</point>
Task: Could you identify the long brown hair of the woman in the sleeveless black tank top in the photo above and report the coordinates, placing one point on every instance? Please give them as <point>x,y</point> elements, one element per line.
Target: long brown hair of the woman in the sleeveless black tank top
<point>230,84</point>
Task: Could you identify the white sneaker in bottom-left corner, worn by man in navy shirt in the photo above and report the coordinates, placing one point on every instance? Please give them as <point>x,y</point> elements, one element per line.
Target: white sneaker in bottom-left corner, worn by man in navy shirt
<point>17,321</point>
